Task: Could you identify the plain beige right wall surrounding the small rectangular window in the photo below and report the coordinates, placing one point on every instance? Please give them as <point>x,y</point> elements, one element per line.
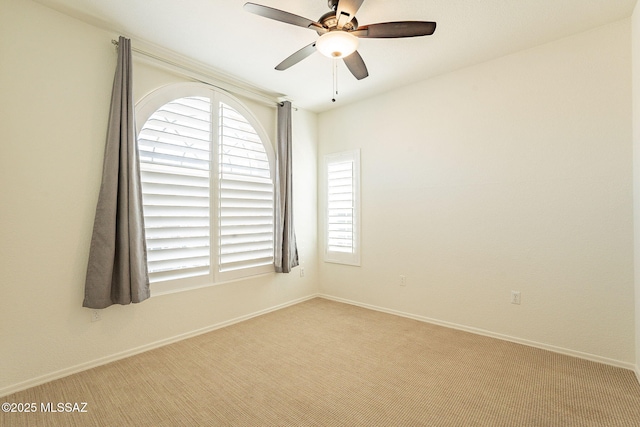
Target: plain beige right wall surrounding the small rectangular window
<point>515,174</point>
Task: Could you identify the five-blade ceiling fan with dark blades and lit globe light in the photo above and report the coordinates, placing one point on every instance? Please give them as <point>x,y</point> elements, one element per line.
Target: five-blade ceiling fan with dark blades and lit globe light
<point>339,32</point>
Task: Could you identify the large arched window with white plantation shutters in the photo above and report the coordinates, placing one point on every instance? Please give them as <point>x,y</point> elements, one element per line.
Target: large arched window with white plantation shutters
<point>207,171</point>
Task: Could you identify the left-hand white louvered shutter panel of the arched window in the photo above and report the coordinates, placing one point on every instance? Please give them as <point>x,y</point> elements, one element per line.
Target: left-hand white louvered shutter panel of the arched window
<point>175,158</point>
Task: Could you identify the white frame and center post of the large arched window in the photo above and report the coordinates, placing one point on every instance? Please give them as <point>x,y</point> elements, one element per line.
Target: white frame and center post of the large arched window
<point>146,107</point>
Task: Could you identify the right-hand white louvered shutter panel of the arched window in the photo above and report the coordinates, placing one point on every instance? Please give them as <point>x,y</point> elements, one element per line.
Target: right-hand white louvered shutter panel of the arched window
<point>246,197</point>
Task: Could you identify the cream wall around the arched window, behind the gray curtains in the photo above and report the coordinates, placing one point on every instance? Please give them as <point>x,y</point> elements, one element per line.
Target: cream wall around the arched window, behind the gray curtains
<point>55,80</point>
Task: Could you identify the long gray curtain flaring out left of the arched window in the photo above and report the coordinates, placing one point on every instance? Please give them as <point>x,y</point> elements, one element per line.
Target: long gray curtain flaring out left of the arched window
<point>117,269</point>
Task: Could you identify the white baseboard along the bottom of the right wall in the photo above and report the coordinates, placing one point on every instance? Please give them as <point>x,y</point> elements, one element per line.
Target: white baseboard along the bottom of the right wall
<point>561,350</point>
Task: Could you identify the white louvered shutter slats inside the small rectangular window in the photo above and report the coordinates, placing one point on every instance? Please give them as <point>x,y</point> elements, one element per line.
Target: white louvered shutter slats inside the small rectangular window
<point>340,206</point>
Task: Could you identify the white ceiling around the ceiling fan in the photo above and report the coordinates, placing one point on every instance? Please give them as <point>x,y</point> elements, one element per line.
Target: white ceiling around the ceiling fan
<point>220,34</point>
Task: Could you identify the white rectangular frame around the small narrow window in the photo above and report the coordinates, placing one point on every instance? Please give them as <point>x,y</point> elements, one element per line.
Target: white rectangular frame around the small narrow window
<point>353,258</point>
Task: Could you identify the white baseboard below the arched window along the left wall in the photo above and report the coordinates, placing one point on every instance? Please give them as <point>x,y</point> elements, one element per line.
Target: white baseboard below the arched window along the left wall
<point>137,350</point>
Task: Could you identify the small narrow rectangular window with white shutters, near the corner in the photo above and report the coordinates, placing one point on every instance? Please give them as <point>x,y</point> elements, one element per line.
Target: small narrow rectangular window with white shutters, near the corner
<point>342,216</point>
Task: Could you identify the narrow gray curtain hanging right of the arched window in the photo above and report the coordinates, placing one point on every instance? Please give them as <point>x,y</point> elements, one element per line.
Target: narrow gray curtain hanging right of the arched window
<point>286,251</point>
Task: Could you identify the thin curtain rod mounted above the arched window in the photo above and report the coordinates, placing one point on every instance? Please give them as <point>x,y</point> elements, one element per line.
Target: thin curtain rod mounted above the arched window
<point>202,76</point>
